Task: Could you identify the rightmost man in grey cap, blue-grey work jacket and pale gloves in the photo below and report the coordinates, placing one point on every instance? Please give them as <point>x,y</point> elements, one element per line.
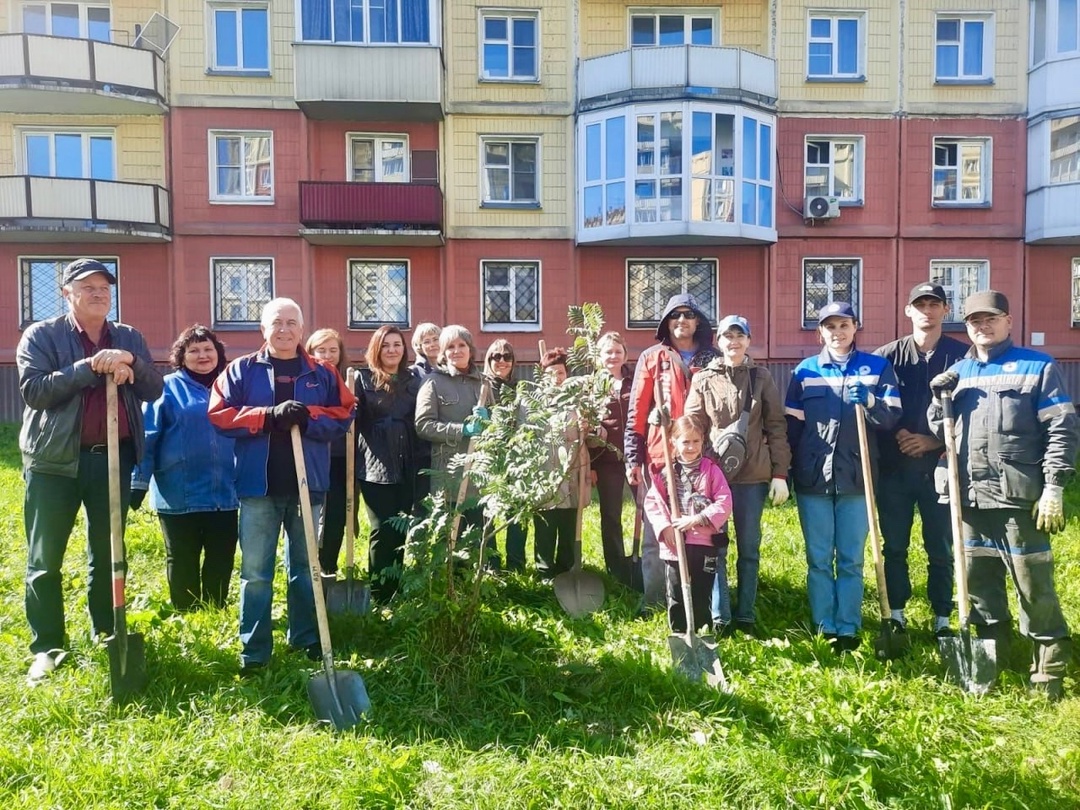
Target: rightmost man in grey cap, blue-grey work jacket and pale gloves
<point>1018,437</point>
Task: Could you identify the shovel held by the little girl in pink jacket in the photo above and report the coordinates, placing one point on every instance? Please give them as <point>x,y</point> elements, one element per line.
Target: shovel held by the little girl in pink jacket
<point>694,656</point>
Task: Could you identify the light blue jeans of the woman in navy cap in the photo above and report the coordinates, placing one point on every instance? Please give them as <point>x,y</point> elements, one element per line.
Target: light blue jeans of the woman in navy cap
<point>834,529</point>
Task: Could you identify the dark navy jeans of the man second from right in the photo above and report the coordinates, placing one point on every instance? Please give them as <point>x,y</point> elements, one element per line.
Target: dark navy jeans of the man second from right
<point>898,494</point>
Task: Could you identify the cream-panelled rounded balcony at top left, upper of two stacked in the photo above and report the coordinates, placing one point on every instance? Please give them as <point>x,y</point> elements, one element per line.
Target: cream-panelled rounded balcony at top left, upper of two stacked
<point>83,77</point>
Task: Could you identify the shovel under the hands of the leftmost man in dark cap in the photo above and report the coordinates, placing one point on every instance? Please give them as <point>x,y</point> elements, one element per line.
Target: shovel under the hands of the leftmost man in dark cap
<point>127,652</point>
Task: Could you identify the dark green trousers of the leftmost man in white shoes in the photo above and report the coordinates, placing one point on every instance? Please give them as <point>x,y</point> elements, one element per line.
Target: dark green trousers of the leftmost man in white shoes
<point>51,505</point>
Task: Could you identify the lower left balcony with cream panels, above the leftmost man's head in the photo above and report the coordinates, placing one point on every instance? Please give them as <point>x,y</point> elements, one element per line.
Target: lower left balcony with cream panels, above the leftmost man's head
<point>66,210</point>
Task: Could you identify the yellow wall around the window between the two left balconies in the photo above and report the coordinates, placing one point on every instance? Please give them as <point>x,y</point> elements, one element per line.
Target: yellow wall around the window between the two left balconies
<point>139,141</point>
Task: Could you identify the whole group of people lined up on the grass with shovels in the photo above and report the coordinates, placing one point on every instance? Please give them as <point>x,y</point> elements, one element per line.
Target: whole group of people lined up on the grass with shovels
<point>212,443</point>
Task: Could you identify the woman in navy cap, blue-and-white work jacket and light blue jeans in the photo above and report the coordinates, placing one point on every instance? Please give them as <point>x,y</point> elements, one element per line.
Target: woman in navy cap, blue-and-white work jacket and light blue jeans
<point>827,470</point>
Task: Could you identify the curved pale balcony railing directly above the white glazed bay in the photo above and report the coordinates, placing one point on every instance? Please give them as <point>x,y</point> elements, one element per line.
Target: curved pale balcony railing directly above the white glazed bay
<point>678,72</point>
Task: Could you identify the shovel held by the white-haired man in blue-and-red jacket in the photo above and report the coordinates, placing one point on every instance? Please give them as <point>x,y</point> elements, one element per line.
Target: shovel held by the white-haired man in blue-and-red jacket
<point>339,697</point>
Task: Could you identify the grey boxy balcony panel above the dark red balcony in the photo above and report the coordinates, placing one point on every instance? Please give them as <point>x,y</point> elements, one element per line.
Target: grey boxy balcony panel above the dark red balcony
<point>369,83</point>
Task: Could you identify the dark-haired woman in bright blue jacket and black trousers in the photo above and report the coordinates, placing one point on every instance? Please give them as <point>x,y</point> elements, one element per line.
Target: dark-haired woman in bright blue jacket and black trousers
<point>188,468</point>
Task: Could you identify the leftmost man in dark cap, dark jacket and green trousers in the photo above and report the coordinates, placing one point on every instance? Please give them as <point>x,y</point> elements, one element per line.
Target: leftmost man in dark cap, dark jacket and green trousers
<point>63,363</point>
